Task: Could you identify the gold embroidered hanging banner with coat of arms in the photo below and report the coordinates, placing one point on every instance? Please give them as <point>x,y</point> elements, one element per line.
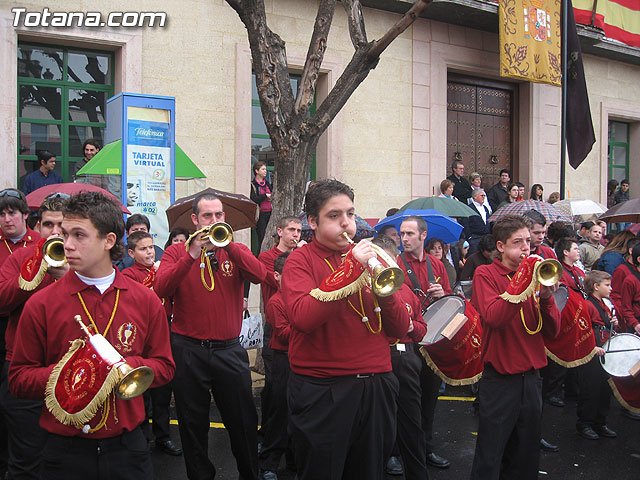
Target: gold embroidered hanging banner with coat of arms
<point>530,40</point>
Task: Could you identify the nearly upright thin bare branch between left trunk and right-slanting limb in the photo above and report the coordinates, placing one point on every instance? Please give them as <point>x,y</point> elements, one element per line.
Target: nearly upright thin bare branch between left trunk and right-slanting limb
<point>315,54</point>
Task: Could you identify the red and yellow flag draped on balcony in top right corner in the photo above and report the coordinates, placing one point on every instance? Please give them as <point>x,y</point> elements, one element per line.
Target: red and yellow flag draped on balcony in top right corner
<point>619,19</point>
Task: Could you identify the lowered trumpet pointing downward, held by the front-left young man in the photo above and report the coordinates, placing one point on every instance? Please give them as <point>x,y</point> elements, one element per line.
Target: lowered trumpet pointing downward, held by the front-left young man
<point>134,381</point>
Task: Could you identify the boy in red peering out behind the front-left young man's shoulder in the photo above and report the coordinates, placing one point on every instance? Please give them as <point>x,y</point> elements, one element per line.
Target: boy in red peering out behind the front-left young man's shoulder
<point>140,248</point>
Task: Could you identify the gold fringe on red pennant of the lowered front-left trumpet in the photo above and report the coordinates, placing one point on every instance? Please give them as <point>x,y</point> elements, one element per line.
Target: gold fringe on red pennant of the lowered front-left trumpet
<point>82,417</point>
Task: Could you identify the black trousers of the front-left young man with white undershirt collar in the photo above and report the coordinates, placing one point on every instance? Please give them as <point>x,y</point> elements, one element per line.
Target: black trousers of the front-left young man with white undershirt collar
<point>125,457</point>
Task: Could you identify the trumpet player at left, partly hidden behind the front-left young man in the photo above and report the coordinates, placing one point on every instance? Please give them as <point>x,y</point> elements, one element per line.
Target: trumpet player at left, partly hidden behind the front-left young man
<point>26,437</point>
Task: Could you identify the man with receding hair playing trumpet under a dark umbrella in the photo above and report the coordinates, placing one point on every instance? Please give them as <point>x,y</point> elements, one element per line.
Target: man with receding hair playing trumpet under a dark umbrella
<point>207,285</point>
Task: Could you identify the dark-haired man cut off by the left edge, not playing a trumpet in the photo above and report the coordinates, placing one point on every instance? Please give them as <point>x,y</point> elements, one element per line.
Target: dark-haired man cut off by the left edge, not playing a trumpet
<point>14,234</point>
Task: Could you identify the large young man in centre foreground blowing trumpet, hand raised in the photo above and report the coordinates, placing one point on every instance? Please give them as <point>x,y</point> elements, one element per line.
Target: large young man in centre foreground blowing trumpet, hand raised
<point>342,394</point>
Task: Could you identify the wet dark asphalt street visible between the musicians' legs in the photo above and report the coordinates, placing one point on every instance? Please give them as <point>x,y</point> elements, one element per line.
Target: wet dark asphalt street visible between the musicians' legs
<point>455,428</point>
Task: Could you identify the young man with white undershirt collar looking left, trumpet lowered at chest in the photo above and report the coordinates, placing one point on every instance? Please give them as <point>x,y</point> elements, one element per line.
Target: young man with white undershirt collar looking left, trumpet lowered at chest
<point>105,440</point>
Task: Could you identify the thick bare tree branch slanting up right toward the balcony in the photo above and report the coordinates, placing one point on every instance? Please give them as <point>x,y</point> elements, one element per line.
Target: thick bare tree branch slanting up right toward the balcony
<point>363,61</point>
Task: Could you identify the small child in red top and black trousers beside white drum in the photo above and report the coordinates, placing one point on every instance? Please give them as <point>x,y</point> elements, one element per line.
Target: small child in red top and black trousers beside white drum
<point>595,394</point>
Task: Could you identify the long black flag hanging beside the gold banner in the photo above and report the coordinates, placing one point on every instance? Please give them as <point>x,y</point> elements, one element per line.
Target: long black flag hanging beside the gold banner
<point>579,130</point>
